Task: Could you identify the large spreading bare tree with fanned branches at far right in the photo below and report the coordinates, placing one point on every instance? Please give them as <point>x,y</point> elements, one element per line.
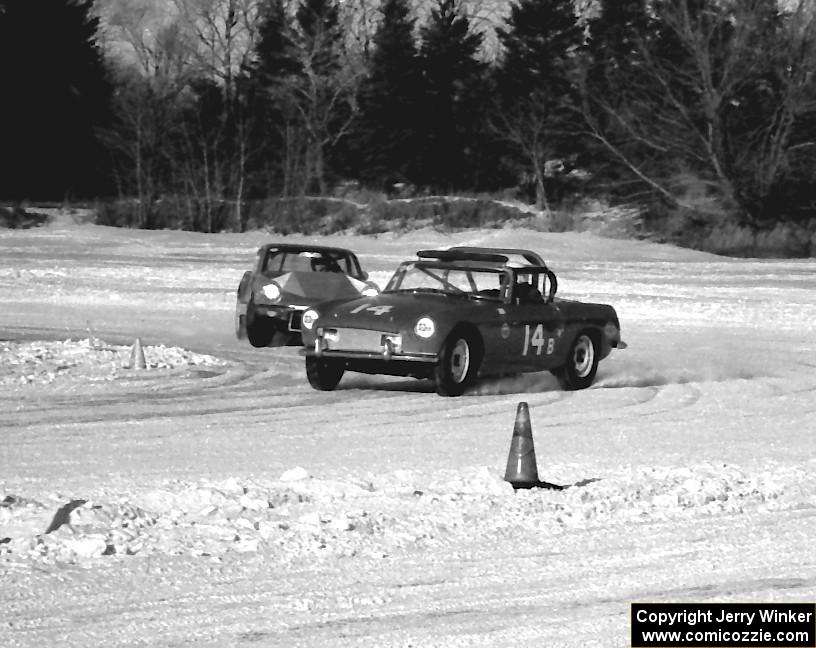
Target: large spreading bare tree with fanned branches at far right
<point>717,96</point>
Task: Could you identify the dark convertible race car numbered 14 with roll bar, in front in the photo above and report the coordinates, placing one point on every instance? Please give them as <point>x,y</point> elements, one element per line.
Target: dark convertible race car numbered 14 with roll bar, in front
<point>453,315</point>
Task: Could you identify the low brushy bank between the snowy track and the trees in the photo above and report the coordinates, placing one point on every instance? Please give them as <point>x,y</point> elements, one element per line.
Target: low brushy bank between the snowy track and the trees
<point>705,224</point>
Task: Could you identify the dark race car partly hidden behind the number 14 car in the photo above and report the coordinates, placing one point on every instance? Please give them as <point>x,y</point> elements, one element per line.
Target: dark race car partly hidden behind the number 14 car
<point>287,280</point>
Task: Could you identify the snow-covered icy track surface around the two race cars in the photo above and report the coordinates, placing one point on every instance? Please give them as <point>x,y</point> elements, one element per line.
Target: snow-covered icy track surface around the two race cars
<point>213,498</point>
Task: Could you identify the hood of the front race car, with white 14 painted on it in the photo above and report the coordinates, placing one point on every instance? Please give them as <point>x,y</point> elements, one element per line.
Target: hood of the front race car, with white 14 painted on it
<point>393,311</point>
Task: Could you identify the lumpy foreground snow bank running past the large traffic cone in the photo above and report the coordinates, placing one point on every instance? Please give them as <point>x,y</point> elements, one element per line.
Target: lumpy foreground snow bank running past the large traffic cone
<point>299,516</point>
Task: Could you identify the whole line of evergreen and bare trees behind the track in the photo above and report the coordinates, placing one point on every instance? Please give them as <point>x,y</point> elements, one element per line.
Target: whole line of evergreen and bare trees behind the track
<point>703,106</point>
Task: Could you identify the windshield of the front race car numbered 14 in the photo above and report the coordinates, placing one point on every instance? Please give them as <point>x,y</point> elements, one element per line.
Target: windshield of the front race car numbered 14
<point>479,283</point>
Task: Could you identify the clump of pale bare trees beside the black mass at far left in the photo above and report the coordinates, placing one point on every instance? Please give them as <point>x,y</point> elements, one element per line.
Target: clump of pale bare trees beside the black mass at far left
<point>188,56</point>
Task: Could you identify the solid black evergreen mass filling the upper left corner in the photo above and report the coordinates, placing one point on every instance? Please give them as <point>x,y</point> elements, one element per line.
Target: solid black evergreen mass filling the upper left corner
<point>55,95</point>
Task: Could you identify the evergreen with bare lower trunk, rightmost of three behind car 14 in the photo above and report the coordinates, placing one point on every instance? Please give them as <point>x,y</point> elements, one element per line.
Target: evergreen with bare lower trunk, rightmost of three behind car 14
<point>536,86</point>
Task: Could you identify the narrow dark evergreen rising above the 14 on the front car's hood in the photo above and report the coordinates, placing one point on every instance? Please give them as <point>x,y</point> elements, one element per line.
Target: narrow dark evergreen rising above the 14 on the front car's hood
<point>388,126</point>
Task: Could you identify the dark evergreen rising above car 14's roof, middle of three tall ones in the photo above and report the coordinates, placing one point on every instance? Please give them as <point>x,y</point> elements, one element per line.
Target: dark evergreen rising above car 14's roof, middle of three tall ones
<point>452,76</point>
